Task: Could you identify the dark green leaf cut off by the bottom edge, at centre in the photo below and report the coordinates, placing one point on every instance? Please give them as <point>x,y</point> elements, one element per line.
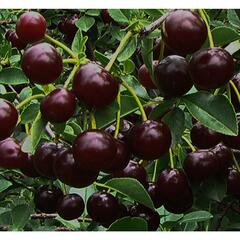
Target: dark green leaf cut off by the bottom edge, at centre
<point>129,224</point>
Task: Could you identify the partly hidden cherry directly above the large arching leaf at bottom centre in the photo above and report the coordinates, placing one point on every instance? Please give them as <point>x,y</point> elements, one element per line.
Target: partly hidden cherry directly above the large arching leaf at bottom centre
<point>133,170</point>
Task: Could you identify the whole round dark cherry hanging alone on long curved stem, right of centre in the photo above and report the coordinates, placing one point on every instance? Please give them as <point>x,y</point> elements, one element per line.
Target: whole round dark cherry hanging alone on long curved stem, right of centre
<point>149,140</point>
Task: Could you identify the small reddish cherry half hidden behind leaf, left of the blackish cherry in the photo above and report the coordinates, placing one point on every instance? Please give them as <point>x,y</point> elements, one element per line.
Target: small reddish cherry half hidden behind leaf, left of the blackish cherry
<point>145,78</point>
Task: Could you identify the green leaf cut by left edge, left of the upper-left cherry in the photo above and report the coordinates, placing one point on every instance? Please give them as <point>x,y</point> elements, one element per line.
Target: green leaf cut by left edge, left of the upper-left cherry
<point>13,76</point>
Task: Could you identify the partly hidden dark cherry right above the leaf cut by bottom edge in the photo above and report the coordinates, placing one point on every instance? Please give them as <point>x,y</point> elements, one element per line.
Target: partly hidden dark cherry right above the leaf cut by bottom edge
<point>152,217</point>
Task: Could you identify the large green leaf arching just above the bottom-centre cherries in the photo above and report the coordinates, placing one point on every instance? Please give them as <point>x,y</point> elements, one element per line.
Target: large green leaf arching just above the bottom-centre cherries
<point>132,188</point>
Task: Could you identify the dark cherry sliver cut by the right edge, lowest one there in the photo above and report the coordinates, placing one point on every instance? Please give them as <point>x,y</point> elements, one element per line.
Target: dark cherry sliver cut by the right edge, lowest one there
<point>233,182</point>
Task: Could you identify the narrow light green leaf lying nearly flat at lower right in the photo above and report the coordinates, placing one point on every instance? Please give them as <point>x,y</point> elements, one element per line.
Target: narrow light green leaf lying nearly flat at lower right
<point>197,216</point>
